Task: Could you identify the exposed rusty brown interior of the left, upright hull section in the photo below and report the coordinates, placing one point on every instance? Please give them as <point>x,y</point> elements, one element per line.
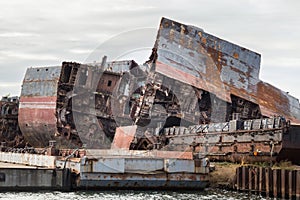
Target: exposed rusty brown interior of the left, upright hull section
<point>93,100</point>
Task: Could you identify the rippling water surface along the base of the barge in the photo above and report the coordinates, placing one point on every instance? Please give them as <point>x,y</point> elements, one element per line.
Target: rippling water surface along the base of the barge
<point>131,194</point>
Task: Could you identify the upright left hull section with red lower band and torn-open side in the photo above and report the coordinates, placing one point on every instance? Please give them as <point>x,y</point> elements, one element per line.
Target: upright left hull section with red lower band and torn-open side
<point>77,104</point>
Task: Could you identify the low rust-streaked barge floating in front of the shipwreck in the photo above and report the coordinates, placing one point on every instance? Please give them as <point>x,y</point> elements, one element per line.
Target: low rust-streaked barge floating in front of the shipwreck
<point>108,169</point>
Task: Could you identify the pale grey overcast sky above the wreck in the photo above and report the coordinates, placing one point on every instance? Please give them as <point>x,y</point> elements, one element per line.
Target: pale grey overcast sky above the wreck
<point>48,32</point>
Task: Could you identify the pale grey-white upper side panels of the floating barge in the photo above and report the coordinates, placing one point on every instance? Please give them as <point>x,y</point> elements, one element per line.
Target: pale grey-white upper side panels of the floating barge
<point>121,165</point>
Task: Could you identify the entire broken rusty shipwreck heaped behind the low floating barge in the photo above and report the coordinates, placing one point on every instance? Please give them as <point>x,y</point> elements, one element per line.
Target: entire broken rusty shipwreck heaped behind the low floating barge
<point>196,93</point>
